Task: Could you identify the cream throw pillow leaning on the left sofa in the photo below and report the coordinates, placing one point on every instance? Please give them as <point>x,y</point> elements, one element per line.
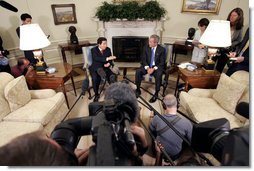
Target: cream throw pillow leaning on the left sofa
<point>17,94</point>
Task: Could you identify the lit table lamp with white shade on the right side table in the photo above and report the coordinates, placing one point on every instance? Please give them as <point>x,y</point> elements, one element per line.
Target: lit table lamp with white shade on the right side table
<point>216,35</point>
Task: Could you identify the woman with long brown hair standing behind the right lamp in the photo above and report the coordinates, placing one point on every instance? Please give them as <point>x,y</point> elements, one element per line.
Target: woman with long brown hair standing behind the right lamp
<point>236,27</point>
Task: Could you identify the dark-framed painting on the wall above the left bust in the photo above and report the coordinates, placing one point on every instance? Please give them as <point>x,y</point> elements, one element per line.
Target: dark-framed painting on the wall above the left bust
<point>64,13</point>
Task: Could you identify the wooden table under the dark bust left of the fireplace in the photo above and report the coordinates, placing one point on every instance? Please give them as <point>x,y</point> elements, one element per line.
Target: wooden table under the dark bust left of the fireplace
<point>71,47</point>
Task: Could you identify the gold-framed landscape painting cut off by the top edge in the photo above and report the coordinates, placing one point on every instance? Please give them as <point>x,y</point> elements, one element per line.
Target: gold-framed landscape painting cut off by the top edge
<point>201,6</point>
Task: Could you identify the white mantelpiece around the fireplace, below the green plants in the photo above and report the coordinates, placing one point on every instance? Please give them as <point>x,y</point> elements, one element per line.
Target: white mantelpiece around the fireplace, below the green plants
<point>129,28</point>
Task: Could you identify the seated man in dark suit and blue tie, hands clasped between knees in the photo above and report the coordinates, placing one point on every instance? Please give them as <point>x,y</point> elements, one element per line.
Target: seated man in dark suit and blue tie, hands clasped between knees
<point>153,63</point>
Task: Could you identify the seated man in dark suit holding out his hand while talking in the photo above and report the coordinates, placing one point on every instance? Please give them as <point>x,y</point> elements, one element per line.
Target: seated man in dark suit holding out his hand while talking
<point>102,60</point>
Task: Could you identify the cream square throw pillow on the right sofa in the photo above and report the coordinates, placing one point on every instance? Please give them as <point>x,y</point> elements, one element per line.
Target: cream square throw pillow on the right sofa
<point>228,93</point>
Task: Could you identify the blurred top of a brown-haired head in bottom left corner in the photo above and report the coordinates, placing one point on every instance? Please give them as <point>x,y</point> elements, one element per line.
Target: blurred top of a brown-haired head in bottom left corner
<point>35,149</point>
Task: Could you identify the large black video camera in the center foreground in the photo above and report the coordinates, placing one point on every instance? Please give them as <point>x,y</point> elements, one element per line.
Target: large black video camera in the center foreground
<point>109,124</point>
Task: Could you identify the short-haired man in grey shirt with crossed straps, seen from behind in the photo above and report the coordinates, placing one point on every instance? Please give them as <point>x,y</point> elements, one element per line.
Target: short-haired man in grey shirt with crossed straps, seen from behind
<point>164,134</point>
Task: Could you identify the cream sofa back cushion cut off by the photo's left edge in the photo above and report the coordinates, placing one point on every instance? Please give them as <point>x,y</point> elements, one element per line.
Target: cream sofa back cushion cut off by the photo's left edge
<point>5,78</point>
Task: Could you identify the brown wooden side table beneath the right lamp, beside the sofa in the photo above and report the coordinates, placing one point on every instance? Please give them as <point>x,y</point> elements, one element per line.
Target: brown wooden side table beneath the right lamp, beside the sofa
<point>199,78</point>
